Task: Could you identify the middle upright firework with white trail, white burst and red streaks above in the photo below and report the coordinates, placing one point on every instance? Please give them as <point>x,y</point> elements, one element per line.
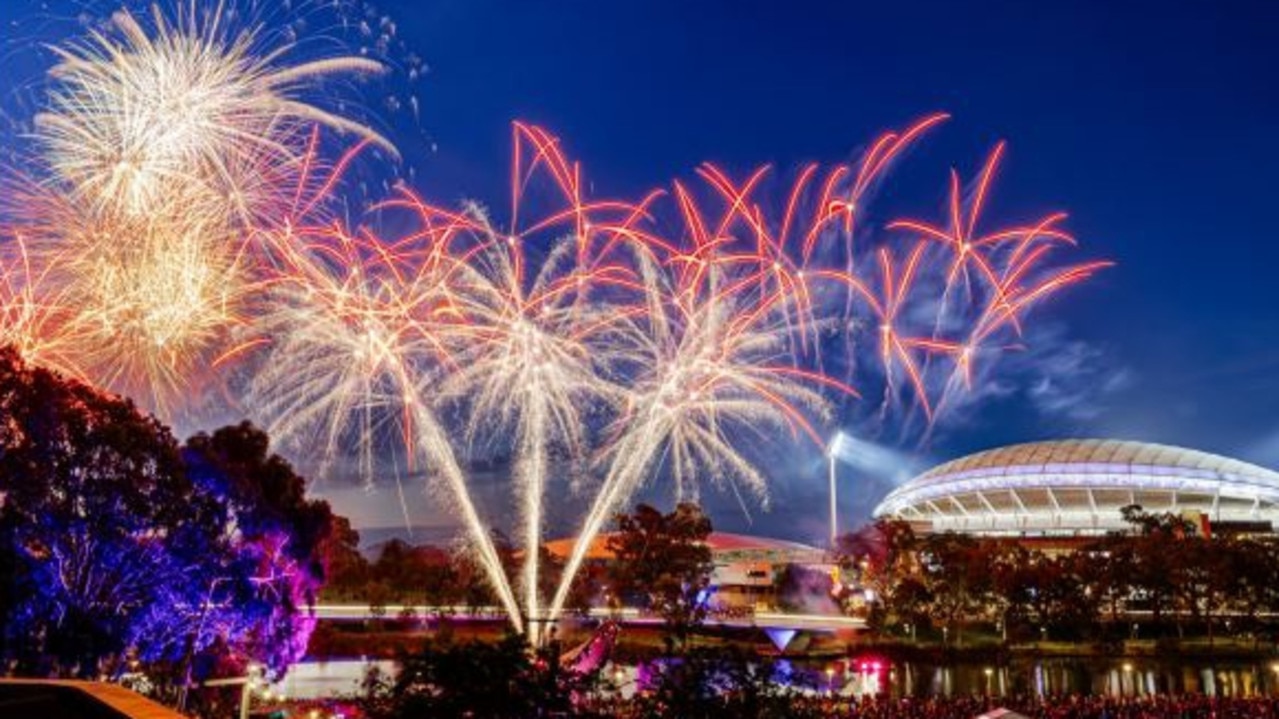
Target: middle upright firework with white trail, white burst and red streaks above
<point>531,352</point>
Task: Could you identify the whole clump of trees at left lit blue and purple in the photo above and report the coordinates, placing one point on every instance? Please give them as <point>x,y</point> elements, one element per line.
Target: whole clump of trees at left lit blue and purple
<point>117,543</point>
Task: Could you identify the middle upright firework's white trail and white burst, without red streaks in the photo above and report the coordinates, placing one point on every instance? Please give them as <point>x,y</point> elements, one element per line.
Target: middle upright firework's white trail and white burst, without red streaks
<point>526,367</point>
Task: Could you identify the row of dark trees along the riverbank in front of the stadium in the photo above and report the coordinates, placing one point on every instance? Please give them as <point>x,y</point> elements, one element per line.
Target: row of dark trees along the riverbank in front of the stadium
<point>1165,566</point>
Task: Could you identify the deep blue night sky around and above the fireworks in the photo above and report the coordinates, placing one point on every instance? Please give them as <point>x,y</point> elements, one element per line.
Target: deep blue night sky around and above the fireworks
<point>1150,123</point>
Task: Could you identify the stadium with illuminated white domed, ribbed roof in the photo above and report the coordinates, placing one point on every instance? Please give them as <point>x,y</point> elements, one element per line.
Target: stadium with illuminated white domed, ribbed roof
<point>1078,488</point>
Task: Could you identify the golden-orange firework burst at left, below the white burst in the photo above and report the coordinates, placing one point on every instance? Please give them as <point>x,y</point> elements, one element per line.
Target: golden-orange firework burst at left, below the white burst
<point>143,303</point>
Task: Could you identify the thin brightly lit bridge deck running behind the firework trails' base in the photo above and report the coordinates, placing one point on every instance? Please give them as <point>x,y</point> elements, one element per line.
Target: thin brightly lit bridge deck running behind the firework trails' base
<point>630,617</point>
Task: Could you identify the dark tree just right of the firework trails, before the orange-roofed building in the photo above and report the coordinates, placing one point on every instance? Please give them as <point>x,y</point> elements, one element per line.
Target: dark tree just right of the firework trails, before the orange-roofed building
<point>663,560</point>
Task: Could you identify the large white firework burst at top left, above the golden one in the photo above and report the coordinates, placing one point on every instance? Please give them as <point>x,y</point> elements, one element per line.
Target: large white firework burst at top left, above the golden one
<point>132,113</point>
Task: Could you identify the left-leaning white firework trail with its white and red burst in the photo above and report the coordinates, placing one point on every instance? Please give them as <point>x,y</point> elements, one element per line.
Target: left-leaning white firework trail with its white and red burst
<point>350,327</point>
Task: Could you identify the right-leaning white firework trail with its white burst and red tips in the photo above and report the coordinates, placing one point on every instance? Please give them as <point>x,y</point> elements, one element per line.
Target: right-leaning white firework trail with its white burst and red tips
<point>716,359</point>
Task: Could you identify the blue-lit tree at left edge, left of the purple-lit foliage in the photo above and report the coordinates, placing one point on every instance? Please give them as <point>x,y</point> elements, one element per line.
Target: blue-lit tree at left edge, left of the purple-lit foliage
<point>103,532</point>
